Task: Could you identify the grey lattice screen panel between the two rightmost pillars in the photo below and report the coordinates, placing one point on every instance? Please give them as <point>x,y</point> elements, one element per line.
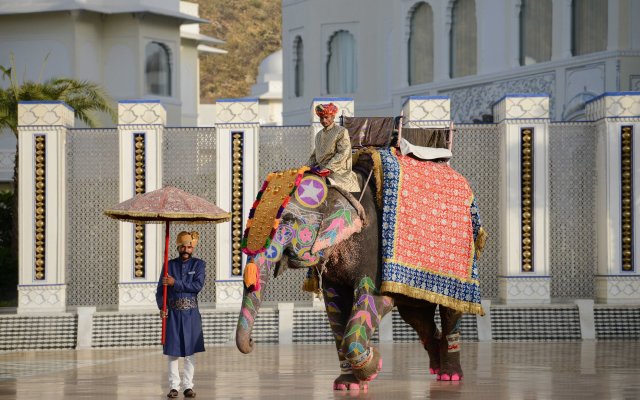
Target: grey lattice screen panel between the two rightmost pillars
<point>572,172</point>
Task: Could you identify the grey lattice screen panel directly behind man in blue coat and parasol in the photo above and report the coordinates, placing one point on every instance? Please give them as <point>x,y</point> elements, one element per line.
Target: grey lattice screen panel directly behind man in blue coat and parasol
<point>189,163</point>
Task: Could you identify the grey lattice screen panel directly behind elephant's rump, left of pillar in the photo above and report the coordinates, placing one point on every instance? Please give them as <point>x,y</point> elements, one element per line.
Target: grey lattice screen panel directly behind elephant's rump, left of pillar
<point>476,156</point>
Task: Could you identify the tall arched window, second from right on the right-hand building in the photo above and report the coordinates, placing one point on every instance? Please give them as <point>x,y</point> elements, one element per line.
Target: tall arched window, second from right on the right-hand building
<point>535,31</point>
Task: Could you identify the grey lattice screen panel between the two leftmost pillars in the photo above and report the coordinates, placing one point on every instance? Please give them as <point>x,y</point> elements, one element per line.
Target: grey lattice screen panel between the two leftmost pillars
<point>92,237</point>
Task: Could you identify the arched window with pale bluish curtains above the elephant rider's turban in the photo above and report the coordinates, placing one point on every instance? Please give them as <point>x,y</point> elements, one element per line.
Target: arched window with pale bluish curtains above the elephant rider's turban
<point>341,64</point>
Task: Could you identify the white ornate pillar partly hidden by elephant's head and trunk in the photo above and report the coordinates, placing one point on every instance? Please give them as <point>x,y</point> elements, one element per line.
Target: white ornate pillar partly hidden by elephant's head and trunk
<point>237,130</point>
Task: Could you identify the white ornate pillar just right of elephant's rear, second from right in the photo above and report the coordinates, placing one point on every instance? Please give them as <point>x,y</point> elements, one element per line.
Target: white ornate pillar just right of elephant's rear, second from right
<point>523,122</point>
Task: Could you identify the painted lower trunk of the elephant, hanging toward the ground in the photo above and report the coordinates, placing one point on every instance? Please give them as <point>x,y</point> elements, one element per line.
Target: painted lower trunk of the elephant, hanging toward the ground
<point>251,301</point>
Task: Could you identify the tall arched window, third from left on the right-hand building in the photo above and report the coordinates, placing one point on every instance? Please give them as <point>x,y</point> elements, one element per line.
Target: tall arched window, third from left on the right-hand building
<point>421,45</point>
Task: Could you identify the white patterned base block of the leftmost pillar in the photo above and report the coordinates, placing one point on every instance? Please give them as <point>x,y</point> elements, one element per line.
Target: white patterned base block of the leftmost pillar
<point>42,298</point>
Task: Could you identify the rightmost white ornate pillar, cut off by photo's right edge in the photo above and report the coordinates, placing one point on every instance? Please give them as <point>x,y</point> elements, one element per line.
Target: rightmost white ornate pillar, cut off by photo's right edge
<point>617,121</point>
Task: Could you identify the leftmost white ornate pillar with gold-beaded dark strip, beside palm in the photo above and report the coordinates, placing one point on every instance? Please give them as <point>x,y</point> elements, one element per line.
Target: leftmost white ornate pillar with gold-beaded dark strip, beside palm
<point>42,130</point>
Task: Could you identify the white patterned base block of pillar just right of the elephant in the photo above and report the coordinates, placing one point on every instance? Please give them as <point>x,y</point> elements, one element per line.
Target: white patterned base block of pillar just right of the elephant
<point>524,290</point>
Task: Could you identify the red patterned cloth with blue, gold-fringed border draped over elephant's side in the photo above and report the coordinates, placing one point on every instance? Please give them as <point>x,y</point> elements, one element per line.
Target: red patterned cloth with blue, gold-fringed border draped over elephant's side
<point>430,224</point>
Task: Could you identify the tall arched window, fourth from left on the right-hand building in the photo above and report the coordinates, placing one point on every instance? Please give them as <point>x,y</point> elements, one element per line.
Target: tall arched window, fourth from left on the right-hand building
<point>464,43</point>
